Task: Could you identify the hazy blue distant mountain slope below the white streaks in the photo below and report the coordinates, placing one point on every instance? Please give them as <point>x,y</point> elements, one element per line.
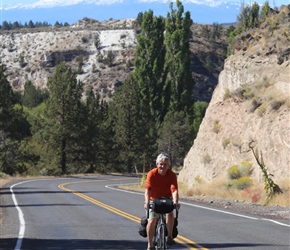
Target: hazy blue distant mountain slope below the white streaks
<point>202,14</point>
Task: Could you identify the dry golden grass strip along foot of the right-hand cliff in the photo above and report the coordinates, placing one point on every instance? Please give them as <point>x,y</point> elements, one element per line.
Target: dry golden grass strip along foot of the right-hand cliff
<point>217,188</point>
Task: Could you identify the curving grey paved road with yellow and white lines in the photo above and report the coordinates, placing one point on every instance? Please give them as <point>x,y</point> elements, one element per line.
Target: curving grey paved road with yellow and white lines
<point>88,213</point>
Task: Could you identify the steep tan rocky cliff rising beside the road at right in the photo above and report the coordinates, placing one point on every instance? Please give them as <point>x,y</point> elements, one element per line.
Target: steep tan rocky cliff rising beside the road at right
<point>249,105</point>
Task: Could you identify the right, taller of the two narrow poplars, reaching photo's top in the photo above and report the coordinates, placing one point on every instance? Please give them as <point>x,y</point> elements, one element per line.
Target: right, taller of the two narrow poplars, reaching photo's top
<point>179,82</point>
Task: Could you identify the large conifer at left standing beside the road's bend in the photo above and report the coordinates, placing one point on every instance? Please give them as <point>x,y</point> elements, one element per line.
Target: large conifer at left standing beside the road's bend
<point>64,126</point>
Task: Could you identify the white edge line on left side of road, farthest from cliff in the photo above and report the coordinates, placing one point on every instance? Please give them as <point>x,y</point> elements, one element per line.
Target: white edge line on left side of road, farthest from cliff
<point>20,214</point>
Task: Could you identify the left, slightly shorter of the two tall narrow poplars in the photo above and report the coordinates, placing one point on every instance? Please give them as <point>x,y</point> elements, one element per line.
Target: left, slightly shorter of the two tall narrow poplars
<point>149,64</point>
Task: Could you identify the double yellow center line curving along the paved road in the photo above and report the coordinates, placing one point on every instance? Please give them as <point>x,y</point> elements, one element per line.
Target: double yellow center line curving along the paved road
<point>189,244</point>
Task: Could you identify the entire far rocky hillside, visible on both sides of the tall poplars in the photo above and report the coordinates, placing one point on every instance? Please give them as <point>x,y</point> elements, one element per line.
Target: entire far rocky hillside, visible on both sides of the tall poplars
<point>32,54</point>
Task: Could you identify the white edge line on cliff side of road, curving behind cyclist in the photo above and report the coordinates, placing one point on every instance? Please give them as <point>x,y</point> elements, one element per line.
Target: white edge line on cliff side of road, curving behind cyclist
<point>113,187</point>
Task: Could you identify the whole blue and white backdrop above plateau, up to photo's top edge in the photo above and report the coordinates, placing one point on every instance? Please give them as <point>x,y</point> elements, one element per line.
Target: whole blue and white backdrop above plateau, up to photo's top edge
<point>202,11</point>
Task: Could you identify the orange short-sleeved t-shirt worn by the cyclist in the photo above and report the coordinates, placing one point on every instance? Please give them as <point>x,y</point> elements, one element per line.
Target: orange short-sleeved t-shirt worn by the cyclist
<point>159,185</point>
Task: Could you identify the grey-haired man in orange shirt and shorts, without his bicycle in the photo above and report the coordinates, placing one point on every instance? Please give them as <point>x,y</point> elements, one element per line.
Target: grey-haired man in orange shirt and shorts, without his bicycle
<point>161,182</point>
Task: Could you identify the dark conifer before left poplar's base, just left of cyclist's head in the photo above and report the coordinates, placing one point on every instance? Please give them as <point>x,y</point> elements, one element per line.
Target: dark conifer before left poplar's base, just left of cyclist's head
<point>132,130</point>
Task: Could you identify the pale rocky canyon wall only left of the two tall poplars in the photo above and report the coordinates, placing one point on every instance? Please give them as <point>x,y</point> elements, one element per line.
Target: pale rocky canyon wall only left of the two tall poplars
<point>32,54</point>
